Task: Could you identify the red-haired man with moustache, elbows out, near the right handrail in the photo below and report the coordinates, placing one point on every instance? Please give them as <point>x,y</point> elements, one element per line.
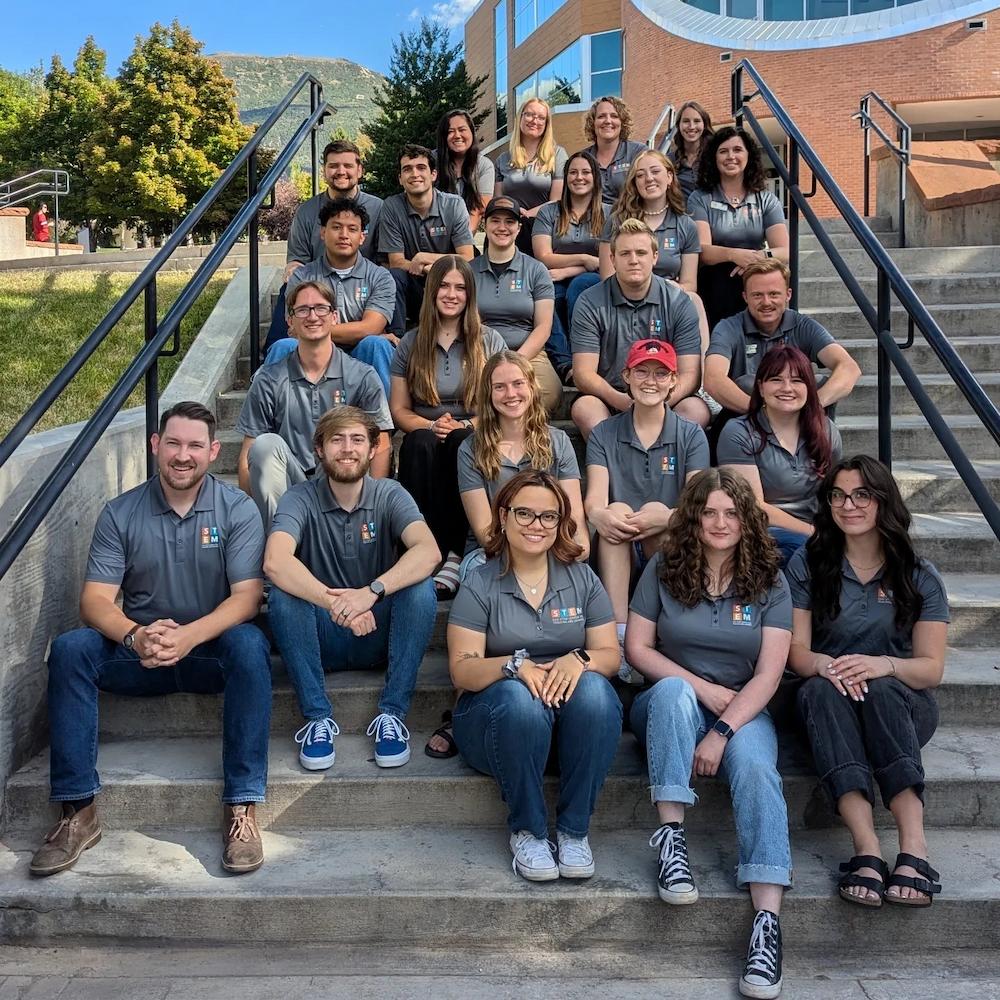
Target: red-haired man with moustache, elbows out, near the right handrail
<point>739,342</point>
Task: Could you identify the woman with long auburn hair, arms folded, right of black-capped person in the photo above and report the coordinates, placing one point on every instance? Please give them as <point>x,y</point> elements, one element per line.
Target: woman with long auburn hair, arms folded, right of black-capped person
<point>565,239</point>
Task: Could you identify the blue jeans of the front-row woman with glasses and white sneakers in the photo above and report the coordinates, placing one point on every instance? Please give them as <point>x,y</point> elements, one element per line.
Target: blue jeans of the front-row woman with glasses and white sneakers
<point>505,732</point>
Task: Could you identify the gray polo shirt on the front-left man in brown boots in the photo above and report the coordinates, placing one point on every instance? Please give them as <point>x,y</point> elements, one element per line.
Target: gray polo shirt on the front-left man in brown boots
<point>176,567</point>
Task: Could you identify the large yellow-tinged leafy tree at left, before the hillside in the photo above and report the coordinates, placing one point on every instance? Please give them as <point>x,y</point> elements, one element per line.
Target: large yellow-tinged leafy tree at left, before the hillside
<point>172,130</point>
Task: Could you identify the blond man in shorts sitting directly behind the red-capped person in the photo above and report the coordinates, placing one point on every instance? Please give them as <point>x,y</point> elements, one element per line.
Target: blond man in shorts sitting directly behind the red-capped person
<point>633,304</point>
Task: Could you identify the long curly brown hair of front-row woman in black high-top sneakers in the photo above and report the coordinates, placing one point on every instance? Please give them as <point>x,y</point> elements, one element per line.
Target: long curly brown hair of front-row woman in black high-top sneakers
<point>754,563</point>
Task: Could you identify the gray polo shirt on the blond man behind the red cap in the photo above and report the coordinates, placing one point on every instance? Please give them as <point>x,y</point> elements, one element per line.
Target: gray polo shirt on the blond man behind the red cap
<point>608,324</point>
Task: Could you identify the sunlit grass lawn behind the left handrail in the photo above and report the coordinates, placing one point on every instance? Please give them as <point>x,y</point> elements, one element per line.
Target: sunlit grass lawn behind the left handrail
<point>45,316</point>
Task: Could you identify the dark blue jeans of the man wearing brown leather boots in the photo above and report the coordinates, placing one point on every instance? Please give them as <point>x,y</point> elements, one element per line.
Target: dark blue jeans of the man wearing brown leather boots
<point>83,662</point>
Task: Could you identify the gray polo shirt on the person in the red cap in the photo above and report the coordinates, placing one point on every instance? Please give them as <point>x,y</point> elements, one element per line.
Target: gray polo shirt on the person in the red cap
<point>637,475</point>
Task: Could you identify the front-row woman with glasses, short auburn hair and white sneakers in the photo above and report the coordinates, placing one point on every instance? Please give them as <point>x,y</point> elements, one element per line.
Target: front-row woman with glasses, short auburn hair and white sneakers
<point>531,645</point>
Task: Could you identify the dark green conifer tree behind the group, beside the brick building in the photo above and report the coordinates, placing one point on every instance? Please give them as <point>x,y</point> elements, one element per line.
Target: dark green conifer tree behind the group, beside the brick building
<point>427,77</point>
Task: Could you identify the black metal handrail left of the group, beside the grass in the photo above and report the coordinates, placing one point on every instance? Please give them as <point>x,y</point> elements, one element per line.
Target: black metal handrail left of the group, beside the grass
<point>145,363</point>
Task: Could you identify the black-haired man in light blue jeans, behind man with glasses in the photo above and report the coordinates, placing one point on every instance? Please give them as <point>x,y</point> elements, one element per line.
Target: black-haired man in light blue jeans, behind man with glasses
<point>364,293</point>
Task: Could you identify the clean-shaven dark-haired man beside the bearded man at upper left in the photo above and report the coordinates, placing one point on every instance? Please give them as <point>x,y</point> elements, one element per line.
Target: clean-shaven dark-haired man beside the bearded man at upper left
<point>419,225</point>
